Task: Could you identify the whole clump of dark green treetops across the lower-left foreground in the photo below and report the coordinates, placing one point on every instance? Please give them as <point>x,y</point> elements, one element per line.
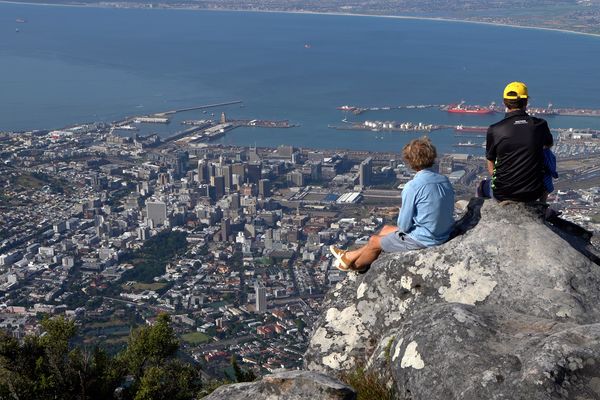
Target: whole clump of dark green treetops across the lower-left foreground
<point>50,367</point>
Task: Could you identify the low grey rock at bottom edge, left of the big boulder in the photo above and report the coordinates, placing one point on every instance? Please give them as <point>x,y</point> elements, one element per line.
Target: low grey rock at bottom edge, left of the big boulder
<point>287,385</point>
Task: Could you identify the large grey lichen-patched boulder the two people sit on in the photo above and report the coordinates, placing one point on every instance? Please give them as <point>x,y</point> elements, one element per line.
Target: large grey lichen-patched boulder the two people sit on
<point>507,310</point>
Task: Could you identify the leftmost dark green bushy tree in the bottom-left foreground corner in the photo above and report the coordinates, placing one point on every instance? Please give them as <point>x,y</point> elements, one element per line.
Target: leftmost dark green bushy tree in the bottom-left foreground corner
<point>47,367</point>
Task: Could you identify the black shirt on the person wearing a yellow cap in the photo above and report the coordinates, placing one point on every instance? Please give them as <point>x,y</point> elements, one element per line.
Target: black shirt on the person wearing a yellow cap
<point>515,145</point>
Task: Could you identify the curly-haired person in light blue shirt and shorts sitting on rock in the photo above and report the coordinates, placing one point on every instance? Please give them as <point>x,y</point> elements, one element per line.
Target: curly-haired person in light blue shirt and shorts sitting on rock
<point>426,215</point>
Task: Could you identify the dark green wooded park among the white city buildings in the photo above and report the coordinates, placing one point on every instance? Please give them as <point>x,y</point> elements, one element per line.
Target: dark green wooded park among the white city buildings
<point>150,261</point>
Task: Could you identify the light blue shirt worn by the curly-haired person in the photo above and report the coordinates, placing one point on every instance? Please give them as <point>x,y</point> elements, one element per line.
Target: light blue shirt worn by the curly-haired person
<point>427,208</point>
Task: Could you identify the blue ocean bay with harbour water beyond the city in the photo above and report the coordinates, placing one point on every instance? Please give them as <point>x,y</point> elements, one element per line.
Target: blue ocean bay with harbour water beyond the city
<point>68,65</point>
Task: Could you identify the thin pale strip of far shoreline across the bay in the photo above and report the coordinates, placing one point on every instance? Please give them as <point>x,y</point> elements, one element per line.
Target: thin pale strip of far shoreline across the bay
<point>334,13</point>
